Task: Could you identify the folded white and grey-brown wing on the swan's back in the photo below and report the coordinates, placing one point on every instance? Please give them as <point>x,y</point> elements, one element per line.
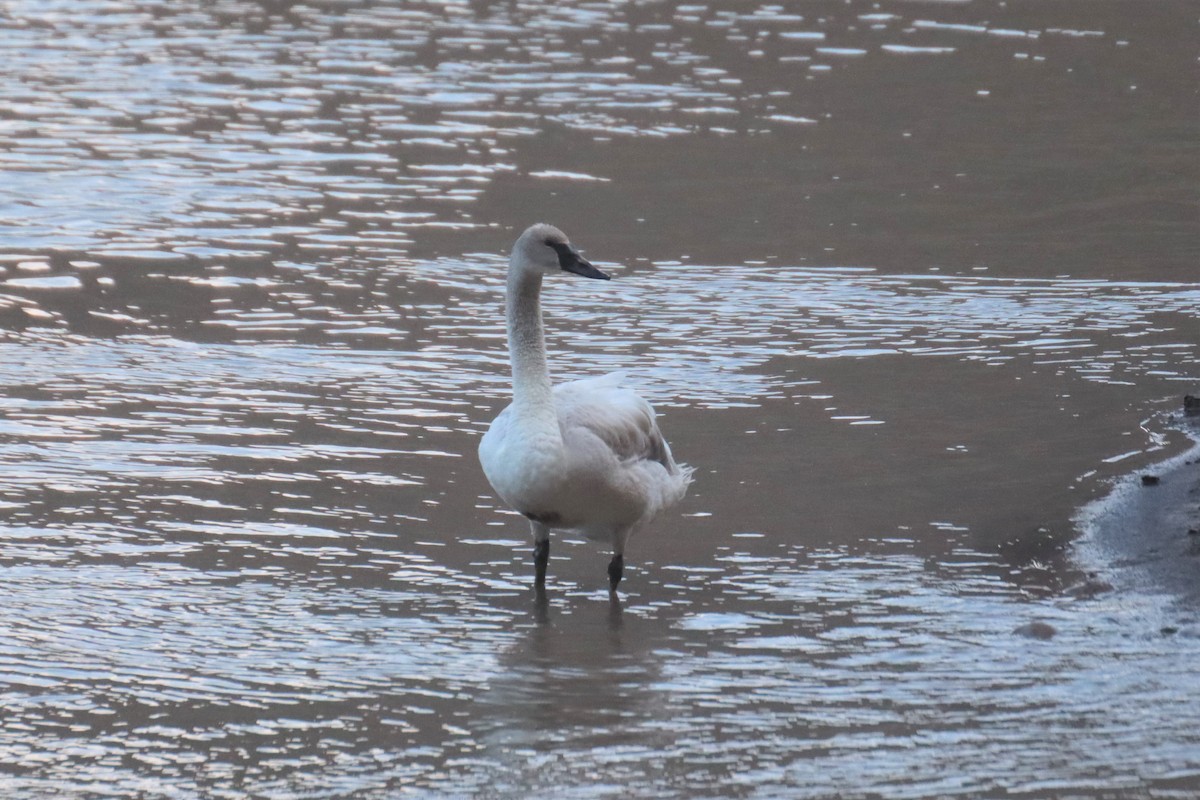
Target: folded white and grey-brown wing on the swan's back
<point>616,416</point>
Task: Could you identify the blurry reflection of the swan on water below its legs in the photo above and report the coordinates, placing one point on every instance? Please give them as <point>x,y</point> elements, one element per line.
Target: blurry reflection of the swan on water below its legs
<point>587,679</point>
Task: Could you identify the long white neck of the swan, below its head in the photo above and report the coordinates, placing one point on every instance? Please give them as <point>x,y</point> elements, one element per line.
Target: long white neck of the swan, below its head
<point>532,399</point>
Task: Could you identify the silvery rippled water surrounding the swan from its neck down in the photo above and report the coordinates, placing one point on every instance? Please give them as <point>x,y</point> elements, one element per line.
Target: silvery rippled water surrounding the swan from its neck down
<point>253,568</point>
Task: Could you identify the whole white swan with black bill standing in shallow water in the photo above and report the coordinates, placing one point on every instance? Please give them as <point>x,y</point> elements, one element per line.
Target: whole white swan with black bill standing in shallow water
<point>586,455</point>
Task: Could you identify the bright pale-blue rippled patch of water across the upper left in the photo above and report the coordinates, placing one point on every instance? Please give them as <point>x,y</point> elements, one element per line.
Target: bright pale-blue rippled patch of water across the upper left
<point>255,117</point>
